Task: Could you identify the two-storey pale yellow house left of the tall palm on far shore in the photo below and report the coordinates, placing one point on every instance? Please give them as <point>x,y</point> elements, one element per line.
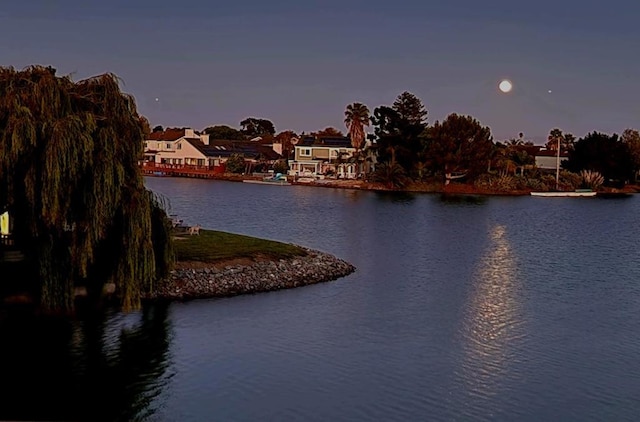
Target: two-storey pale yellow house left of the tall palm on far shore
<point>324,157</point>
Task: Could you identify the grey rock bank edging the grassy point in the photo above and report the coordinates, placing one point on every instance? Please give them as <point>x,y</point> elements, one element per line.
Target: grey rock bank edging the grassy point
<point>220,280</point>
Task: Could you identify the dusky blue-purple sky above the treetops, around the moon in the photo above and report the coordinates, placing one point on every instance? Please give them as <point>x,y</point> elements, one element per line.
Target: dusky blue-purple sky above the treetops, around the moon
<point>300,63</point>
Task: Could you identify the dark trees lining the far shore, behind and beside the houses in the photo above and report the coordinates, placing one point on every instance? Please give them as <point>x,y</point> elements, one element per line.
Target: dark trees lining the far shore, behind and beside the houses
<point>402,147</point>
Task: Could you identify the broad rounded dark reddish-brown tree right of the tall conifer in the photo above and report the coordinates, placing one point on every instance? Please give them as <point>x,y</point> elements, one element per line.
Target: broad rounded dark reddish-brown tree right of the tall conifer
<point>459,144</point>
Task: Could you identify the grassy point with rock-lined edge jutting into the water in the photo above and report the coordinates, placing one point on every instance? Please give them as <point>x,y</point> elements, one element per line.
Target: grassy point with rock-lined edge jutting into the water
<point>220,264</point>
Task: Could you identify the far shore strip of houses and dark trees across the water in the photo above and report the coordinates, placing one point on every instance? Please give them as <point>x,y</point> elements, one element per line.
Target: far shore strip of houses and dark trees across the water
<point>395,148</point>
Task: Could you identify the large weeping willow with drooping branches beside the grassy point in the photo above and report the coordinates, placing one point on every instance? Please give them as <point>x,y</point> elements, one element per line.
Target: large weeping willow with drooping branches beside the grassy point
<point>69,176</point>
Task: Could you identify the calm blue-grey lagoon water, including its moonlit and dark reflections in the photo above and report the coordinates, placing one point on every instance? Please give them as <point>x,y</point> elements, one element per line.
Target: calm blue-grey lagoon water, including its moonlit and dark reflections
<point>463,309</point>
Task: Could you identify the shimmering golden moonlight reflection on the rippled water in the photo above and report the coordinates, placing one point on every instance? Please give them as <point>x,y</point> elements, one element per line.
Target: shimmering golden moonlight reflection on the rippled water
<point>491,324</point>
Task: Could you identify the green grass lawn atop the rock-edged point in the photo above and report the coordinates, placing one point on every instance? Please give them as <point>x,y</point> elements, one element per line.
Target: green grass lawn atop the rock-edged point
<point>213,246</point>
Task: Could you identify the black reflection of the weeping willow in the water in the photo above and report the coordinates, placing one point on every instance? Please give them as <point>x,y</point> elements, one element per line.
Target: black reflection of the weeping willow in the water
<point>96,368</point>
